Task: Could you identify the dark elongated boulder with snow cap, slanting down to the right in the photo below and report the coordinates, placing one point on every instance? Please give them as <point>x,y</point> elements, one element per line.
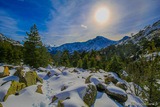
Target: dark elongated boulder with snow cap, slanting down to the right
<point>116,93</point>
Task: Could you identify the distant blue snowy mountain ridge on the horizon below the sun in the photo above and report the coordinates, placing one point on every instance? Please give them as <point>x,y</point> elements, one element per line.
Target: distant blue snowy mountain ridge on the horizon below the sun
<point>97,43</point>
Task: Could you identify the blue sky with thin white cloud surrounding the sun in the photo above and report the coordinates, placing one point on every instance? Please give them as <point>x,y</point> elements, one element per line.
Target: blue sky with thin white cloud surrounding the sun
<point>64,21</point>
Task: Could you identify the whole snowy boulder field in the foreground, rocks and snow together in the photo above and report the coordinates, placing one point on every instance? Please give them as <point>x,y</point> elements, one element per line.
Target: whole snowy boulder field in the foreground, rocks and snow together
<point>64,87</point>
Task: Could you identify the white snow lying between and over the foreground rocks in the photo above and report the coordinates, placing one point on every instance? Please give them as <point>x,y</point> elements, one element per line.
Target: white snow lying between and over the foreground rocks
<point>69,86</point>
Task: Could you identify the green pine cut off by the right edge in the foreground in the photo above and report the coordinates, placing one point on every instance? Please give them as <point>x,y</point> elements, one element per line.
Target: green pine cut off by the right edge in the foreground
<point>152,76</point>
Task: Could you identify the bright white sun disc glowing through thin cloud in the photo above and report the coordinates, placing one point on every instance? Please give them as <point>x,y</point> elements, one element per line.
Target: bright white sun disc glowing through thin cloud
<point>102,15</point>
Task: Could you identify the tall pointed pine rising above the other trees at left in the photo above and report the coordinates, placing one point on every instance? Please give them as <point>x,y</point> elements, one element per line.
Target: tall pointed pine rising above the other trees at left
<point>35,54</point>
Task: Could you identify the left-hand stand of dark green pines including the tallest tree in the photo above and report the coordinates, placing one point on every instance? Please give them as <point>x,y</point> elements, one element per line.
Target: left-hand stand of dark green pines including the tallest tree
<point>32,53</point>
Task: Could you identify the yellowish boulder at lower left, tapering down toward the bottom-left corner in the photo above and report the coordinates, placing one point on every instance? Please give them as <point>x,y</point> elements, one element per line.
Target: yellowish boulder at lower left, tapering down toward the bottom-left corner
<point>15,87</point>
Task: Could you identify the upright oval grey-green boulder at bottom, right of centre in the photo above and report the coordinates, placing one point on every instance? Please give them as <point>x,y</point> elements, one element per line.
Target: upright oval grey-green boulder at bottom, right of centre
<point>90,95</point>
